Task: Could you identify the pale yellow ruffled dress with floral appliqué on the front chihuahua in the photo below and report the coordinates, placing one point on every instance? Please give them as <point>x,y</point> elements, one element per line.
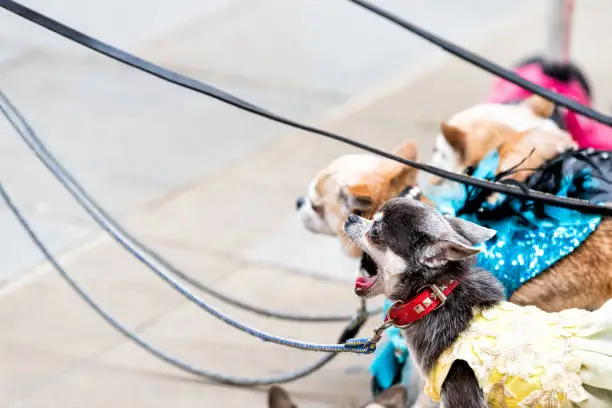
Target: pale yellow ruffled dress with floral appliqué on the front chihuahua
<point>525,357</point>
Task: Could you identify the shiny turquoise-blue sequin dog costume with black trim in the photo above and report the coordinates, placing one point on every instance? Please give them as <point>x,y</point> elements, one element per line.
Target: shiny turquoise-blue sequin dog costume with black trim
<point>530,236</point>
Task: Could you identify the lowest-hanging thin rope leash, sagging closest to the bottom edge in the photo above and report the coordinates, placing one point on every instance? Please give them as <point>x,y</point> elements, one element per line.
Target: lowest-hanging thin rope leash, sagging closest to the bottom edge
<point>351,329</point>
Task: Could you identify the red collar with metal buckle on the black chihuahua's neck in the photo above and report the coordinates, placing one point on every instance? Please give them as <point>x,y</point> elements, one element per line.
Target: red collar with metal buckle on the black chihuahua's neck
<point>402,314</point>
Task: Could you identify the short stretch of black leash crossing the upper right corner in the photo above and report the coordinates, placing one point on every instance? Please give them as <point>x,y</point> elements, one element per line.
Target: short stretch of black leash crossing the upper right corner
<point>487,65</point>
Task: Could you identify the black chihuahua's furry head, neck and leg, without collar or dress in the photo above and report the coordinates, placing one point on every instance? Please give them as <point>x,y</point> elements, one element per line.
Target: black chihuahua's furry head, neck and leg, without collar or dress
<point>415,246</point>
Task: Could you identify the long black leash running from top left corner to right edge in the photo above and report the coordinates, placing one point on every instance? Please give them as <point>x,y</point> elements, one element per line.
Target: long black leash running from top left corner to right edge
<point>213,92</point>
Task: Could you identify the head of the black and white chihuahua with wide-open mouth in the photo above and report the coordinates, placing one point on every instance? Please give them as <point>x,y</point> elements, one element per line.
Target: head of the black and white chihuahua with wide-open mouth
<point>413,244</point>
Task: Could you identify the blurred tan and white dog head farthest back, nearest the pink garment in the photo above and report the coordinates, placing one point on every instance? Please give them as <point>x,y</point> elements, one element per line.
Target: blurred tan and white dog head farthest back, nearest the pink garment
<point>516,130</point>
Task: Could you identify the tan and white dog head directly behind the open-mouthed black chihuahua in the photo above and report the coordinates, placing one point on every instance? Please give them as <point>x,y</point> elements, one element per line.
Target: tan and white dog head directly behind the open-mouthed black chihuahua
<point>354,184</point>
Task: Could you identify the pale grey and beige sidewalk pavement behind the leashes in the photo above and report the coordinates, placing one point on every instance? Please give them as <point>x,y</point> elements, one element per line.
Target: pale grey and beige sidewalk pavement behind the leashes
<point>225,217</point>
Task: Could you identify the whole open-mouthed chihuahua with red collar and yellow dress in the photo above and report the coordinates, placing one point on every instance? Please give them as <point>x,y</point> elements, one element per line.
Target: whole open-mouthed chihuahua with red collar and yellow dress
<point>473,348</point>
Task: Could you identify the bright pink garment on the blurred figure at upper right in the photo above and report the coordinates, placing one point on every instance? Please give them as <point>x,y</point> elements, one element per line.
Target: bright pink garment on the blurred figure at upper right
<point>586,132</point>
